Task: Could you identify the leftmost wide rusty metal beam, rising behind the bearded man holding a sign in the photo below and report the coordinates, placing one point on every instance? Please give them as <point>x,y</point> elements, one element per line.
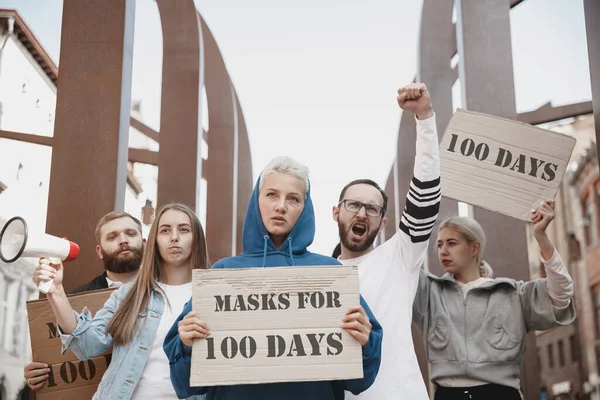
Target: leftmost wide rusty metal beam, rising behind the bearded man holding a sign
<point>91,131</point>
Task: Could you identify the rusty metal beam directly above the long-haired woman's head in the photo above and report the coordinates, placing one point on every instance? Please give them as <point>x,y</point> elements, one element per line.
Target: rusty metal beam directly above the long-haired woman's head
<point>180,125</point>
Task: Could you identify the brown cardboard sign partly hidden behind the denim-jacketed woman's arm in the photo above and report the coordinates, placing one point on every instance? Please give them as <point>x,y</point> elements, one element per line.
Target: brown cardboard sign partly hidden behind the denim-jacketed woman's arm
<point>70,378</point>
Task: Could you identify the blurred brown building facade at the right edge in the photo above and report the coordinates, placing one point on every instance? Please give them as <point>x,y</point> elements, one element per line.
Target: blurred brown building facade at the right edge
<point>567,355</point>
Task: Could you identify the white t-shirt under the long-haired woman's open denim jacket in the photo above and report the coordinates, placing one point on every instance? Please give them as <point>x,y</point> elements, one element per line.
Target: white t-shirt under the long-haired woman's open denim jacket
<point>155,382</point>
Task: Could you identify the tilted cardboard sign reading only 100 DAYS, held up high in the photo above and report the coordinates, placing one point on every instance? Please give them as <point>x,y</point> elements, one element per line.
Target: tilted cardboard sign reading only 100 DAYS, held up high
<point>501,165</point>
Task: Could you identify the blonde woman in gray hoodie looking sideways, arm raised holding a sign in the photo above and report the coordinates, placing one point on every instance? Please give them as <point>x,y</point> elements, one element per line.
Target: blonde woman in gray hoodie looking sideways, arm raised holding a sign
<point>474,325</point>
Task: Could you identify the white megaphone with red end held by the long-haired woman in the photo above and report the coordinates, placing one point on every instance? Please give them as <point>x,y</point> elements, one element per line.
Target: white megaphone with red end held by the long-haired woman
<point>16,242</point>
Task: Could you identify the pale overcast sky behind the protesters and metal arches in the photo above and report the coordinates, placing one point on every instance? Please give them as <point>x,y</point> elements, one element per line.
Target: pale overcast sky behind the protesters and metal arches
<point>317,79</point>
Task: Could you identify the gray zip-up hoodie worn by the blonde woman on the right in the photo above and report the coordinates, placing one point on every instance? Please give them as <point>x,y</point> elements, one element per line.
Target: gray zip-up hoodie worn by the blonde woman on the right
<point>483,335</point>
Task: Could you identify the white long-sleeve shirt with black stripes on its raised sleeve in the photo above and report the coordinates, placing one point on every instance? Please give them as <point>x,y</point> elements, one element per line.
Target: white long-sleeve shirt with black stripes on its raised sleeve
<point>390,273</point>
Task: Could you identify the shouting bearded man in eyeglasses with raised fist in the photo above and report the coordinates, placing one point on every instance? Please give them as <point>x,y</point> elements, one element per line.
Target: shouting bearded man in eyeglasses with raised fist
<point>389,273</point>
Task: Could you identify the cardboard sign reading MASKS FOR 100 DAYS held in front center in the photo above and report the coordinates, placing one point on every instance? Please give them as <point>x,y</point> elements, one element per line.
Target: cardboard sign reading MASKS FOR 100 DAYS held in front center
<point>275,325</point>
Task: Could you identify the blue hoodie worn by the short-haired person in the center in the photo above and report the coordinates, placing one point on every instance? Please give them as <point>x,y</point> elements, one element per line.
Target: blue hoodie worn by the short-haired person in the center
<point>259,251</point>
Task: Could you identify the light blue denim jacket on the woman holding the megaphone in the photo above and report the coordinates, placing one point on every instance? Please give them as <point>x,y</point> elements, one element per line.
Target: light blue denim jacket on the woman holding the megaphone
<point>89,340</point>
